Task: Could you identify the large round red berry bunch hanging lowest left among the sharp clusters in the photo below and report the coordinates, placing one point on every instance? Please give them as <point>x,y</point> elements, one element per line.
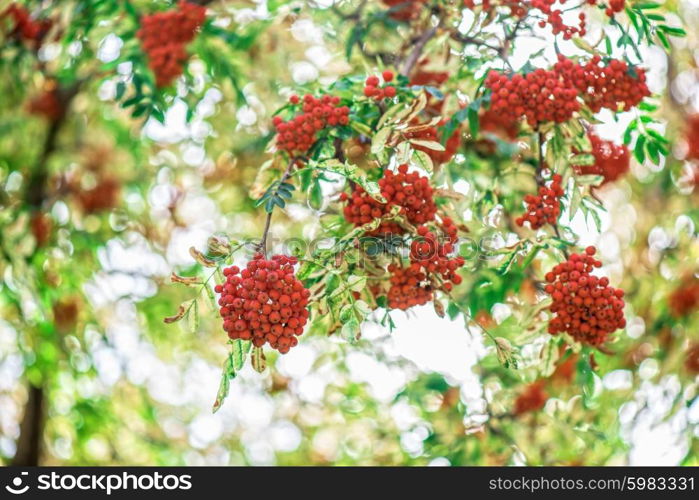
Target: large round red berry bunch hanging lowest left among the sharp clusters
<point>264,302</point>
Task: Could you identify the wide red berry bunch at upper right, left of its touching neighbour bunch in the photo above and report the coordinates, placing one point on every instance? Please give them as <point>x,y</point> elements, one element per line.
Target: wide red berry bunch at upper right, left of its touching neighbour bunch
<point>540,96</point>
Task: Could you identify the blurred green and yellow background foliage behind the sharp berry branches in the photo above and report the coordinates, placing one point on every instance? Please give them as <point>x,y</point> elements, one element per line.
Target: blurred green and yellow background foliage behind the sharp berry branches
<point>104,189</point>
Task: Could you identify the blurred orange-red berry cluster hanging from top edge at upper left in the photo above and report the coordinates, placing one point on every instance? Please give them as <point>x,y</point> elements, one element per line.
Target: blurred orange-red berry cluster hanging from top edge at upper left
<point>164,37</point>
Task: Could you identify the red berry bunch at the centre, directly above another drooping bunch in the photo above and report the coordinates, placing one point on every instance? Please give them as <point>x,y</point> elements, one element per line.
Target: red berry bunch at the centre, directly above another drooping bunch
<point>410,191</point>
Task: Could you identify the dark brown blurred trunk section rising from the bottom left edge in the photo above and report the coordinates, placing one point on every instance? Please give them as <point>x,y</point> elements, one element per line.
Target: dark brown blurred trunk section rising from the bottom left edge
<point>31,429</point>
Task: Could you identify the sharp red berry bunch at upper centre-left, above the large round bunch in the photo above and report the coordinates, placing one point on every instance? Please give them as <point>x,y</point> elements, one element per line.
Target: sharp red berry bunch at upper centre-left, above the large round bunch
<point>297,135</point>
